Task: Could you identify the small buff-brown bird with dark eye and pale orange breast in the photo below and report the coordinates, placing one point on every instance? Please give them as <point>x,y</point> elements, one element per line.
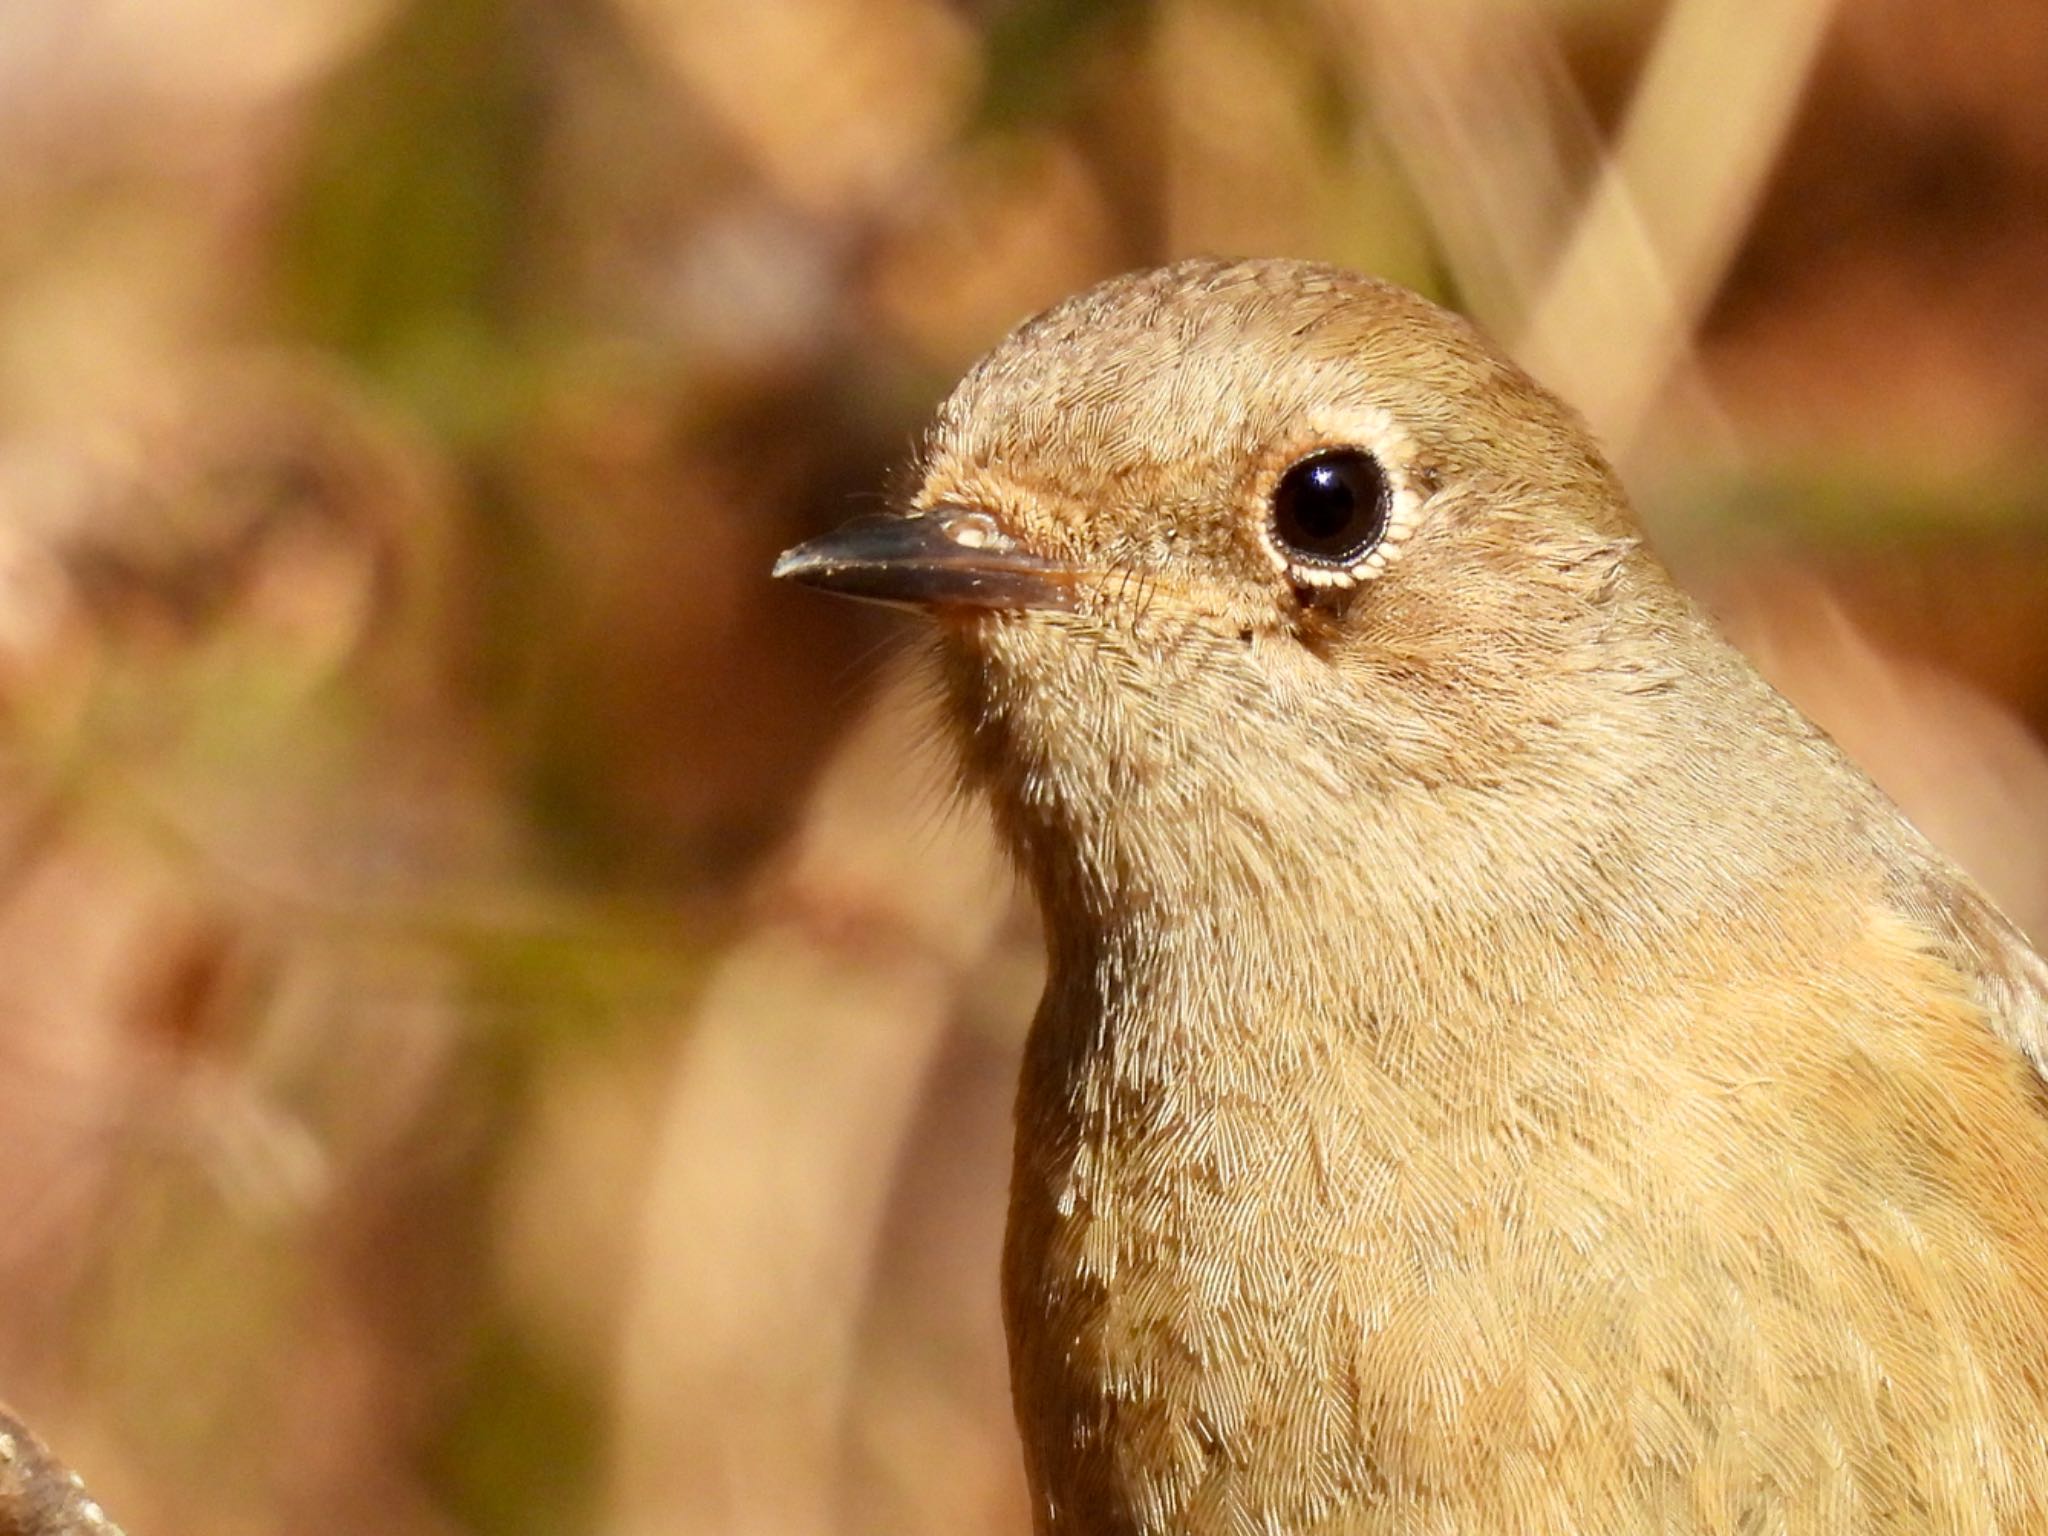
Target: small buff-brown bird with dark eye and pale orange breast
<point>1500,1066</point>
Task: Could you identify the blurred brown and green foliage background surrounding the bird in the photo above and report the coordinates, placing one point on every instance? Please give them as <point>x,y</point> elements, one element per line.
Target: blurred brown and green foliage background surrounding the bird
<point>503,1025</point>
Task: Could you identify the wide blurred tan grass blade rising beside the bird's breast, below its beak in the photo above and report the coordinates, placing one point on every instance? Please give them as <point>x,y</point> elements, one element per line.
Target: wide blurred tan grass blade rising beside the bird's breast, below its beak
<point>794,1093</point>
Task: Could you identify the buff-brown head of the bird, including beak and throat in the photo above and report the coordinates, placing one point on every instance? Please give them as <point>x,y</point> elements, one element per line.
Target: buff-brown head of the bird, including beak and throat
<point>1238,556</point>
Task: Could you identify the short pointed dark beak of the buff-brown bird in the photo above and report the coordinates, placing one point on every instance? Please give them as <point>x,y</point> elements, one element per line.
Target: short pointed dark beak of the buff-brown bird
<point>947,558</point>
